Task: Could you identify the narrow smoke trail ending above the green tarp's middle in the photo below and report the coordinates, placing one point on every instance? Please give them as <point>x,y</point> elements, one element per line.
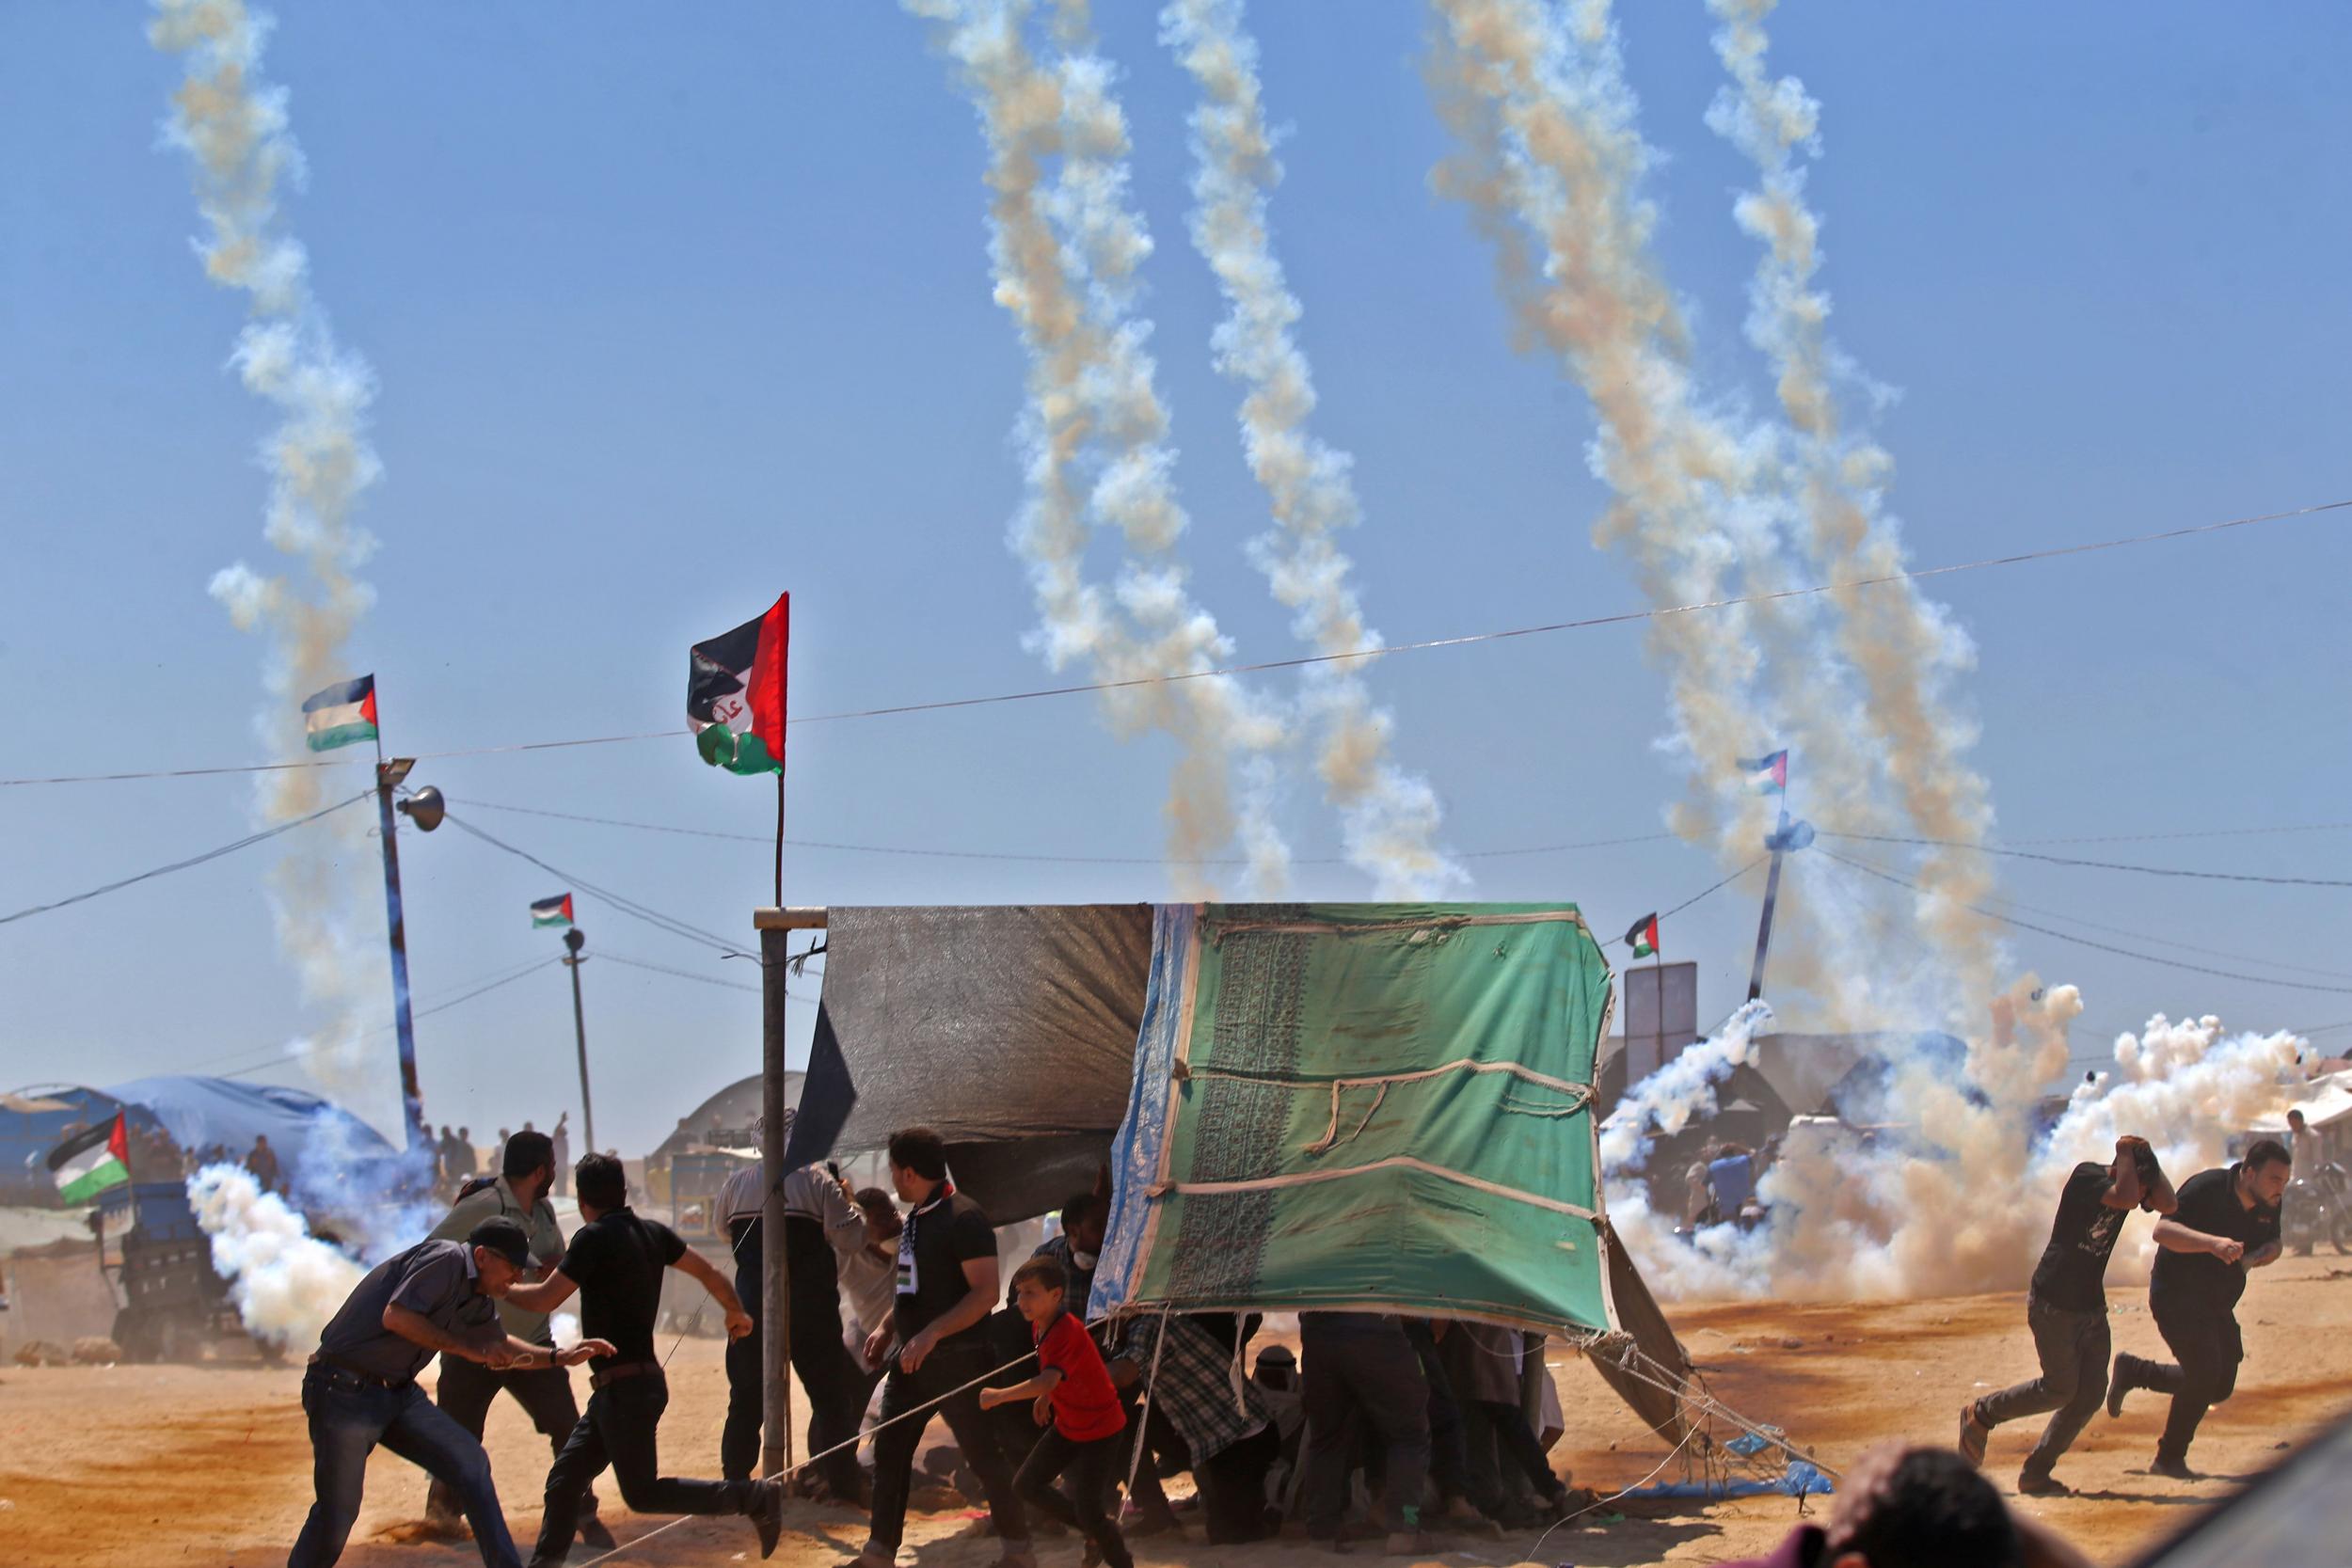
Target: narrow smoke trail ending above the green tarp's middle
<point>1391,817</point>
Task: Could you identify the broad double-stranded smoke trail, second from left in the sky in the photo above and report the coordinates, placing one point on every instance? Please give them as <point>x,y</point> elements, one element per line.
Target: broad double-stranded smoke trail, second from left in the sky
<point>1064,262</point>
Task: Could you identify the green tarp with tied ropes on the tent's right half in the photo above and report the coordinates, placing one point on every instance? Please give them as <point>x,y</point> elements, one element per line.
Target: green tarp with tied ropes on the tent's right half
<point>1365,1106</point>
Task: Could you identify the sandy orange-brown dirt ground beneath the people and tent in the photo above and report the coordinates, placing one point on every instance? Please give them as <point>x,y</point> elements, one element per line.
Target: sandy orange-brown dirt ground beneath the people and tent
<point>201,1466</point>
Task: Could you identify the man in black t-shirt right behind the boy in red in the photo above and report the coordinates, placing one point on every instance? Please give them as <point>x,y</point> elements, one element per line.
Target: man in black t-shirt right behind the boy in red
<point>947,1289</point>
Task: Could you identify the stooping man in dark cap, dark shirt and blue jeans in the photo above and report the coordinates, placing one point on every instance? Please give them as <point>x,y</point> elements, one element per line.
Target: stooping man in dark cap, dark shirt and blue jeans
<point>361,1391</point>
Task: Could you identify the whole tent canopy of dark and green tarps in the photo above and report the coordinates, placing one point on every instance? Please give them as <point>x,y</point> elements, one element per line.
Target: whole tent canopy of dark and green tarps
<point>1307,1106</point>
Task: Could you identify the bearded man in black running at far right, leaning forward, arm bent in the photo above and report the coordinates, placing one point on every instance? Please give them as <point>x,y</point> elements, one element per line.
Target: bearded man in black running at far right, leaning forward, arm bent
<point>2229,1224</point>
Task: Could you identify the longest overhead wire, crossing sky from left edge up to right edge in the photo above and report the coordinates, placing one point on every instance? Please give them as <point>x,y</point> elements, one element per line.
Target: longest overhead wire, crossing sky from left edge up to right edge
<point>1304,662</point>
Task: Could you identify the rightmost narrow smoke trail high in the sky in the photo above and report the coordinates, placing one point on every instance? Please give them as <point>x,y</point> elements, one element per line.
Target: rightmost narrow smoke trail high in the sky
<point>1904,648</point>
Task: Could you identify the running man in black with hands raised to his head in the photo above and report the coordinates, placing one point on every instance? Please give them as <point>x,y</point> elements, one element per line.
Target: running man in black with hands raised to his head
<point>2066,1308</point>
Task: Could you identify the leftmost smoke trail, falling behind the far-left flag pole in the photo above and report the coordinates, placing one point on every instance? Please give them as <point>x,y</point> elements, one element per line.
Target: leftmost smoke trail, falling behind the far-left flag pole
<point>234,128</point>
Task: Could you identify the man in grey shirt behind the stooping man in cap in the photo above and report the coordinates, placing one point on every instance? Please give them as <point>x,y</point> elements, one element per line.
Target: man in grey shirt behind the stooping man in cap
<point>544,1393</point>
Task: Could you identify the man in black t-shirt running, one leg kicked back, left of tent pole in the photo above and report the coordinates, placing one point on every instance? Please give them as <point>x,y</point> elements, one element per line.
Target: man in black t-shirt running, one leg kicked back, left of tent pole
<point>617,1266</point>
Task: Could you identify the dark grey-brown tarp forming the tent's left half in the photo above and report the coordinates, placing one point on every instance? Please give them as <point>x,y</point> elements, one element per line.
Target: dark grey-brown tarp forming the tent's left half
<point>1008,1028</point>
